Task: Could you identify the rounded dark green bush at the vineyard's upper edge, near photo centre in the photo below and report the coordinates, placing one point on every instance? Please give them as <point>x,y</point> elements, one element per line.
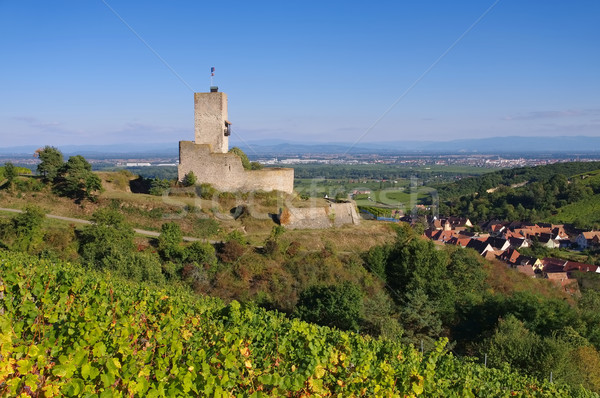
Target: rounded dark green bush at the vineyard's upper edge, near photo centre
<point>338,305</point>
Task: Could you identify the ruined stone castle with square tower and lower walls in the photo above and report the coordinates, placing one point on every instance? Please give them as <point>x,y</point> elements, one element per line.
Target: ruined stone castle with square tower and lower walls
<point>208,155</point>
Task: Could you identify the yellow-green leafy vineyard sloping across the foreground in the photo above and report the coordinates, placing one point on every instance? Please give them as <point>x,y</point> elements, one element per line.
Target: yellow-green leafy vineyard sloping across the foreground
<point>72,332</point>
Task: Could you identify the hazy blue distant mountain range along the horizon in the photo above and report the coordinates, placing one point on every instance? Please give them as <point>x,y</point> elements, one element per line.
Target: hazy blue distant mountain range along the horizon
<point>515,144</point>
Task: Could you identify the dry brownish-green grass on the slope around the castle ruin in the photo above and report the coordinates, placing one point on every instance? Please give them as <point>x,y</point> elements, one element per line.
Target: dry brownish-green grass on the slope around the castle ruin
<point>197,217</point>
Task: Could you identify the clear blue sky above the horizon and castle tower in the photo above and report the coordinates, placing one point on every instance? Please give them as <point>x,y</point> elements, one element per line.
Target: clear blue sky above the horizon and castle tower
<point>72,72</point>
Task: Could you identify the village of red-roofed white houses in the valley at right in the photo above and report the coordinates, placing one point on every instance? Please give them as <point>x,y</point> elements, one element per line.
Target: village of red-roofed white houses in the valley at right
<point>501,241</point>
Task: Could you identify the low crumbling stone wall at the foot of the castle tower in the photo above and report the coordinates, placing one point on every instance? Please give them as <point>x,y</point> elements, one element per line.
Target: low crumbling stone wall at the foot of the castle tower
<point>224,171</point>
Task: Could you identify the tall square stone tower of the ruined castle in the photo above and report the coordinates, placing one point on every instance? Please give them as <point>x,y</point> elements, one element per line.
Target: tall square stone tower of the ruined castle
<point>211,125</point>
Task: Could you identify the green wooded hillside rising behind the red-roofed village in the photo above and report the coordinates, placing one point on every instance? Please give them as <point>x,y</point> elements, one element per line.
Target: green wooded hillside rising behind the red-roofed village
<point>561,193</point>
